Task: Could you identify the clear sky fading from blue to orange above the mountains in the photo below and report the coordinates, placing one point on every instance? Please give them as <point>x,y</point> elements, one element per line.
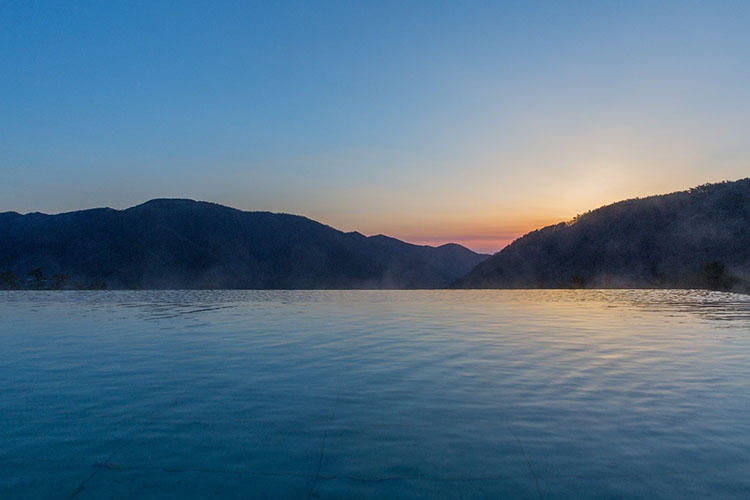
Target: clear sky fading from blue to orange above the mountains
<point>434,122</point>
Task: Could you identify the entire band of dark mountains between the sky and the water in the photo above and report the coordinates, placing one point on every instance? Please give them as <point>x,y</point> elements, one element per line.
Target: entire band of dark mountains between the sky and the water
<point>698,238</point>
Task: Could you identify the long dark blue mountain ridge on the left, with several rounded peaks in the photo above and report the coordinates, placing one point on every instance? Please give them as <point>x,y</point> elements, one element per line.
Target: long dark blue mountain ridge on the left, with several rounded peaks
<point>173,243</point>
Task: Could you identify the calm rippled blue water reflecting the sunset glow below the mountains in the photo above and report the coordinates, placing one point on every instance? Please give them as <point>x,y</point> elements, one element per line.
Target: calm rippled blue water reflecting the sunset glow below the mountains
<point>529,394</point>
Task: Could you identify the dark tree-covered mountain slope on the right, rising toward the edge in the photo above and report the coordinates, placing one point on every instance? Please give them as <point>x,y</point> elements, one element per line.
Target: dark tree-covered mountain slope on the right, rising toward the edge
<point>698,238</point>
